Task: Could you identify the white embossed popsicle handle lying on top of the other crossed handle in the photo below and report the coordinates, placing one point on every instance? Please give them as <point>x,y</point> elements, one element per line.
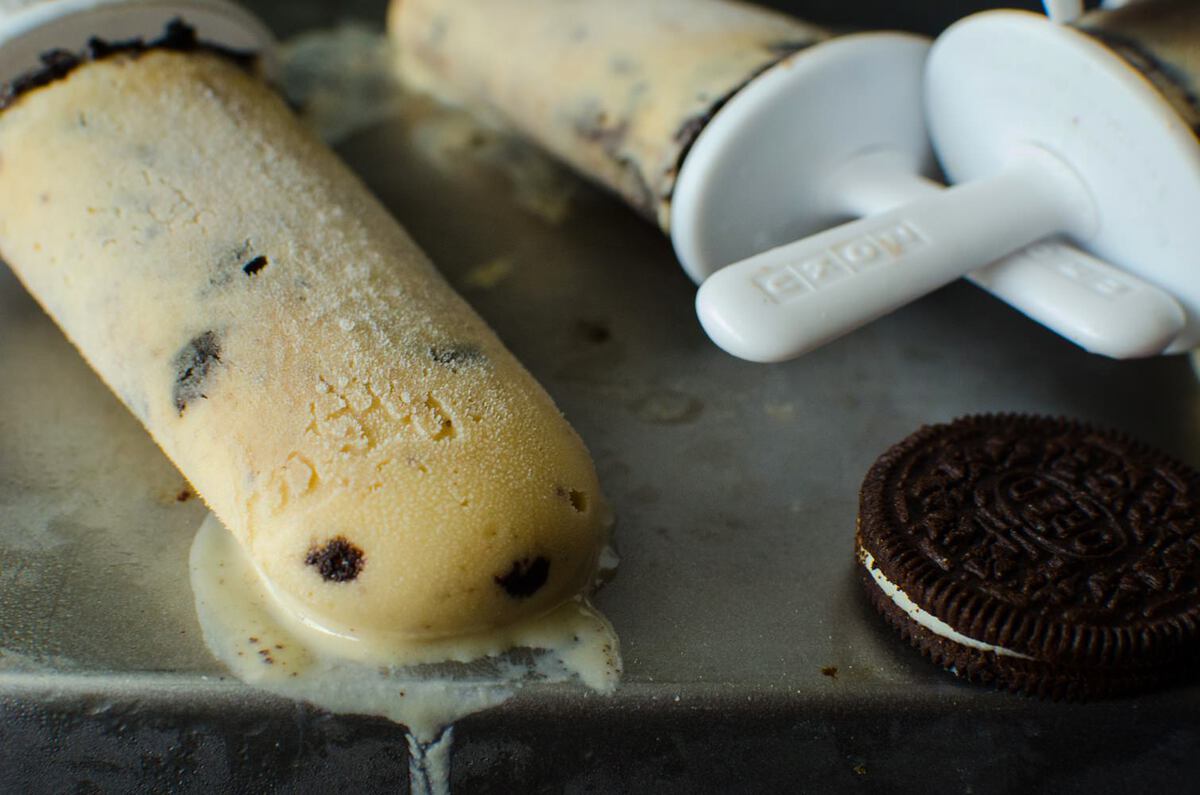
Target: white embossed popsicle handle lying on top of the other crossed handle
<point>789,301</point>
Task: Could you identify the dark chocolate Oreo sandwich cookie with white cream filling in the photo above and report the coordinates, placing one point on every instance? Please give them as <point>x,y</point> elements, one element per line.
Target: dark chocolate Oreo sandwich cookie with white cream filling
<point>1040,555</point>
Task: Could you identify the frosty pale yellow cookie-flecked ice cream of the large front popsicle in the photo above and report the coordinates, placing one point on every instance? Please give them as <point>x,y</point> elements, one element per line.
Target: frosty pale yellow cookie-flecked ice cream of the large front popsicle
<point>386,463</point>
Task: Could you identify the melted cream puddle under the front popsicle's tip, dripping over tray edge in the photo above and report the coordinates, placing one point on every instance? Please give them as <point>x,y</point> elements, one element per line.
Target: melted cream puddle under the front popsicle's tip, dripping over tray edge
<point>425,686</point>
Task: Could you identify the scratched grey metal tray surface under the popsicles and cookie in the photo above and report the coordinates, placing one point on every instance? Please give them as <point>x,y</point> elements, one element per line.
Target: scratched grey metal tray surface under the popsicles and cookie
<point>736,491</point>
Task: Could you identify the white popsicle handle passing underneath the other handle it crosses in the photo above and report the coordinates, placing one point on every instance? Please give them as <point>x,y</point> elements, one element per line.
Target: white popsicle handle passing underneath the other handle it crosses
<point>1099,307</point>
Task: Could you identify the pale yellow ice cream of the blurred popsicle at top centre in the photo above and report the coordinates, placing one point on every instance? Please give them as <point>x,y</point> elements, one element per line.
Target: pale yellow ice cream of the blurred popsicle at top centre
<point>617,88</point>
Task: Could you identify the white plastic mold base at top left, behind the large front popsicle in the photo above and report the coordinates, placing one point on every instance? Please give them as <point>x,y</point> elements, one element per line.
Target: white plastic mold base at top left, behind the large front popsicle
<point>29,28</point>
